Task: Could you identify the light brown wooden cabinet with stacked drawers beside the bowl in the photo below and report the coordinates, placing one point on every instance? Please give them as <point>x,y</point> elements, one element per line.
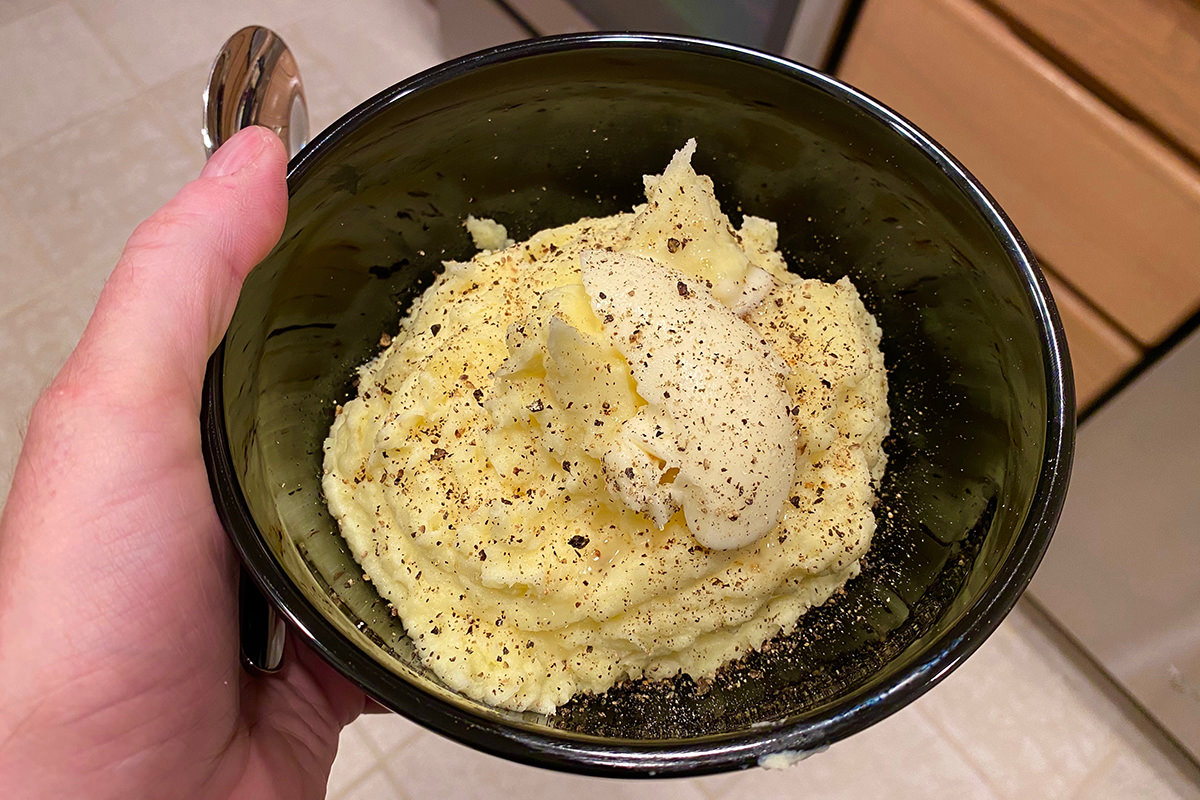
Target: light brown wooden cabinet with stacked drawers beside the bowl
<point>1109,199</point>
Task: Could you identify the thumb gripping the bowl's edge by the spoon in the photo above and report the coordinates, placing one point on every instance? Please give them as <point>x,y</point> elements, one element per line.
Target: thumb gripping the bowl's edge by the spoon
<point>170,300</point>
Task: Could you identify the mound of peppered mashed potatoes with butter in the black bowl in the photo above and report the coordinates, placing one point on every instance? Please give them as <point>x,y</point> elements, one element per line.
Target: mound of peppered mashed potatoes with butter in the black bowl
<point>631,447</point>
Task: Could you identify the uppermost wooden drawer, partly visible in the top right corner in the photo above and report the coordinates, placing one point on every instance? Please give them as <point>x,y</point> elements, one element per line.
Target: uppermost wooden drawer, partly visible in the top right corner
<point>1147,52</point>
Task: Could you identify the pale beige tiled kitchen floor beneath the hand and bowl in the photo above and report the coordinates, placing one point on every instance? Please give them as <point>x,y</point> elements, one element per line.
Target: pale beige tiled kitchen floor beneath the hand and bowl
<point>111,133</point>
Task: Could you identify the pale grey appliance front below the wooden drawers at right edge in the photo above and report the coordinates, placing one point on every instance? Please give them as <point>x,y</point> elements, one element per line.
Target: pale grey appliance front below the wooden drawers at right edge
<point>1124,575</point>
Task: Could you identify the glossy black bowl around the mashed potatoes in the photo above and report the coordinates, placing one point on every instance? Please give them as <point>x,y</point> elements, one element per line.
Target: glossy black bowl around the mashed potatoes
<point>544,133</point>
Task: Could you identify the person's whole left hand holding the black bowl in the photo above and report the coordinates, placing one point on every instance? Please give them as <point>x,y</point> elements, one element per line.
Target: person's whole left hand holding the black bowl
<point>119,667</point>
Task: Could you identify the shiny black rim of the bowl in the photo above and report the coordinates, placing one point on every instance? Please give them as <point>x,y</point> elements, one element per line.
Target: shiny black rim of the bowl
<point>721,753</point>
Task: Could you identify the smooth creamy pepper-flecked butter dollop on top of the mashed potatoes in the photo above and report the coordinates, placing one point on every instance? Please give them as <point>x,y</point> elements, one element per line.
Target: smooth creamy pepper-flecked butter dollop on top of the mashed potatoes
<point>715,437</point>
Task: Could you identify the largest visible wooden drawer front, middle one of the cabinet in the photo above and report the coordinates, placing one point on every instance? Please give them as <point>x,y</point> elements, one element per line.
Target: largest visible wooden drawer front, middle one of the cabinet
<point>1107,206</point>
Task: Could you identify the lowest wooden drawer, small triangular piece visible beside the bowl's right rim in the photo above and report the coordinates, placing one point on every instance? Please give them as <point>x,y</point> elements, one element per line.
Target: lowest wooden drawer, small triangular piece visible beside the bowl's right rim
<point>1100,354</point>
